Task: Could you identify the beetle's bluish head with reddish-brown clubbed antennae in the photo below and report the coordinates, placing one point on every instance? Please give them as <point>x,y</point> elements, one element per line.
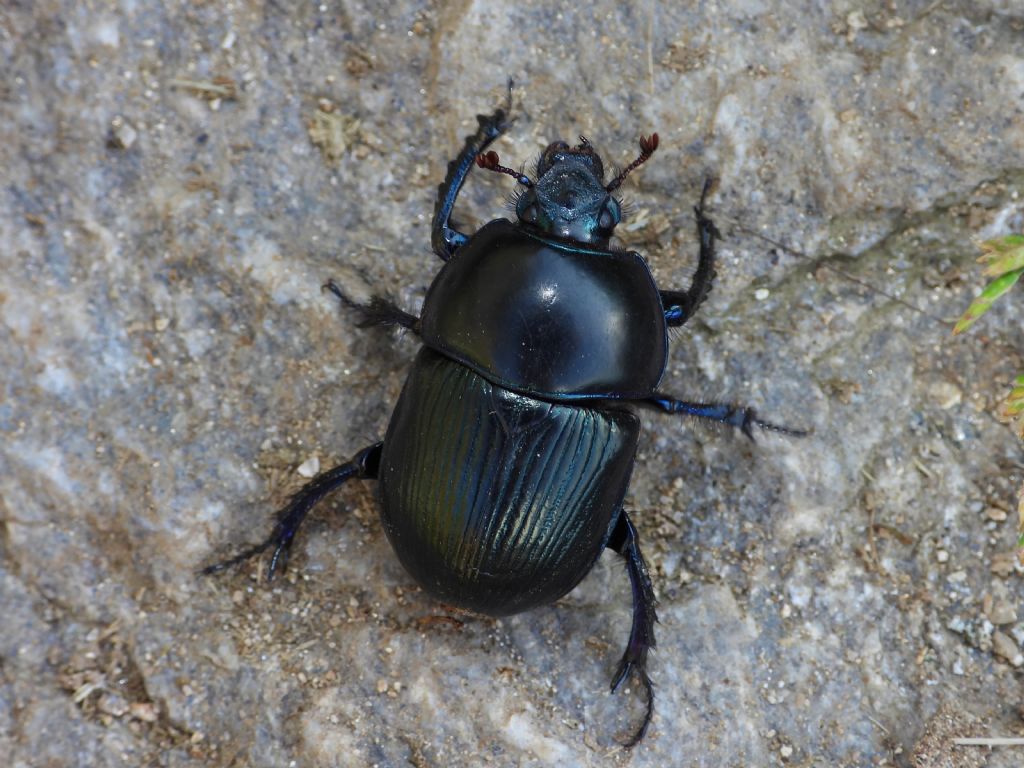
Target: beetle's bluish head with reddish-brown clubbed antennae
<point>570,199</point>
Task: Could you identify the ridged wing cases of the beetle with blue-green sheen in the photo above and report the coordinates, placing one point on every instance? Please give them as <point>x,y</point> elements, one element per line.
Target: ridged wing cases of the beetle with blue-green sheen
<point>495,501</point>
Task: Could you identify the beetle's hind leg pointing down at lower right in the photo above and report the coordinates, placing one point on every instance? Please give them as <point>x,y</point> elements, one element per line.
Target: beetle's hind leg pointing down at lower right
<point>624,541</point>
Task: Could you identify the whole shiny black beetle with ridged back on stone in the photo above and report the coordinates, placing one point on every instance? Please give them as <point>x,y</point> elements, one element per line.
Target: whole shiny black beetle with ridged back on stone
<point>504,467</point>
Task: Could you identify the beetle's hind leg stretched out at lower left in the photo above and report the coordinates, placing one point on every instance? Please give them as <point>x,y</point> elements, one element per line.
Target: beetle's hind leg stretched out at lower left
<point>364,466</point>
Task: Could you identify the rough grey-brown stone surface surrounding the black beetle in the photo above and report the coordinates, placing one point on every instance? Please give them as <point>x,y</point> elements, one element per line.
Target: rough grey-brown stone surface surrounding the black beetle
<point>168,362</point>
